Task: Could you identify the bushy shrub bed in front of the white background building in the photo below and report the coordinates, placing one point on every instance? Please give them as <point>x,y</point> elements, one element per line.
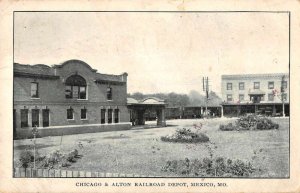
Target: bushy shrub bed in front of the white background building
<point>250,122</point>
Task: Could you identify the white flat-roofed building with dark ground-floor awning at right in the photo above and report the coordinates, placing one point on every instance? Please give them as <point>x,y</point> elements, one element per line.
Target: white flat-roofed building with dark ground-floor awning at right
<point>266,94</point>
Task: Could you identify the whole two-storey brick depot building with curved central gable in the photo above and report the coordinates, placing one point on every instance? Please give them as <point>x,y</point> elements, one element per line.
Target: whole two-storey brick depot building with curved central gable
<point>63,98</point>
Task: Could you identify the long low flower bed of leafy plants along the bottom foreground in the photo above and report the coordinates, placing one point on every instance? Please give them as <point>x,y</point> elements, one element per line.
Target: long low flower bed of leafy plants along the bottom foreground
<point>209,167</point>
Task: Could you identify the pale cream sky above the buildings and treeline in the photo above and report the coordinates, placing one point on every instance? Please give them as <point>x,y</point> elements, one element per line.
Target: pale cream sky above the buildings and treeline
<point>161,52</point>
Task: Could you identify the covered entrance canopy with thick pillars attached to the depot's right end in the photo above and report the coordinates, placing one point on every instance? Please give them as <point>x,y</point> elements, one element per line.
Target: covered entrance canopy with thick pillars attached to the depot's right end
<point>138,108</point>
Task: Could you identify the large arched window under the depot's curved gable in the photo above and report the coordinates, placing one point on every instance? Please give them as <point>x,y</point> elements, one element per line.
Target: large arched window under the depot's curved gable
<point>75,87</point>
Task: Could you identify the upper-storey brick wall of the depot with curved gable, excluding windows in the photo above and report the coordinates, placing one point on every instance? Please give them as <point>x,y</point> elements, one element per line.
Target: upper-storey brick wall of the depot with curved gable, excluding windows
<point>54,90</point>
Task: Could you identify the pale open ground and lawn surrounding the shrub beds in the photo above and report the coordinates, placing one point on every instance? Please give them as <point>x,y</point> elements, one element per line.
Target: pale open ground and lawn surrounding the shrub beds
<point>140,151</point>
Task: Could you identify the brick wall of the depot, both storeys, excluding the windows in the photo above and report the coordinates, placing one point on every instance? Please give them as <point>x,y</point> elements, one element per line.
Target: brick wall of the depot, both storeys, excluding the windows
<point>52,96</point>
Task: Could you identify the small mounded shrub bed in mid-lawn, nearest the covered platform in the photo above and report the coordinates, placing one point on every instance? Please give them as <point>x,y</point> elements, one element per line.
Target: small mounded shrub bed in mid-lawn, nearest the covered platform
<point>186,136</point>
